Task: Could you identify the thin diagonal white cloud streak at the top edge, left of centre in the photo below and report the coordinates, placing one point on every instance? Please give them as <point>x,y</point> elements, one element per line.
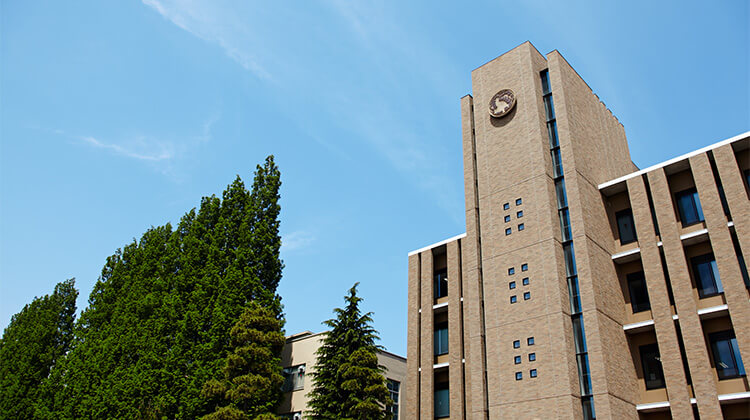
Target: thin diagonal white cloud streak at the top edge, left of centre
<point>196,19</point>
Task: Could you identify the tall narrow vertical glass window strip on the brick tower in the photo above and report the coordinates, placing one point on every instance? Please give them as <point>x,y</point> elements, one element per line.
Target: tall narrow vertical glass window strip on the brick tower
<point>579,333</point>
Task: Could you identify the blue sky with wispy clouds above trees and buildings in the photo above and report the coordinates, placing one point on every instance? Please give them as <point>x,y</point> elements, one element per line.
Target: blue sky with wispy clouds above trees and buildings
<point>120,115</point>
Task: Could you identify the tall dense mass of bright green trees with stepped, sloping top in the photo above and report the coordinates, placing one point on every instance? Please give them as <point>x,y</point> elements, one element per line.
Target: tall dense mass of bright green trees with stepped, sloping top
<point>158,323</point>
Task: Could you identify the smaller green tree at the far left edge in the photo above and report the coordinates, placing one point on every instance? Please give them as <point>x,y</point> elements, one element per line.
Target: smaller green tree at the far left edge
<point>31,345</point>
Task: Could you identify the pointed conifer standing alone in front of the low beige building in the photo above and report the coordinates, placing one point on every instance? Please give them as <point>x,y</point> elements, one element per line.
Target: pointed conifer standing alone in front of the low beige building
<point>348,383</point>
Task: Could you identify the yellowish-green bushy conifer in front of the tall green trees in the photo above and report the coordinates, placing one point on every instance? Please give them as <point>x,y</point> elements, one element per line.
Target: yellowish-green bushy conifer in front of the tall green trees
<point>251,387</point>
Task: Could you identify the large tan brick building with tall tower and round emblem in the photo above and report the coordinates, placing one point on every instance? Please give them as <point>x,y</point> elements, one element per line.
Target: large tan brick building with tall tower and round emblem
<point>583,287</point>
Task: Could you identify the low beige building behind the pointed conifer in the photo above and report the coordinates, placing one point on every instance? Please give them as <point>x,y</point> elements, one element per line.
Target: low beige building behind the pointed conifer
<point>298,359</point>
